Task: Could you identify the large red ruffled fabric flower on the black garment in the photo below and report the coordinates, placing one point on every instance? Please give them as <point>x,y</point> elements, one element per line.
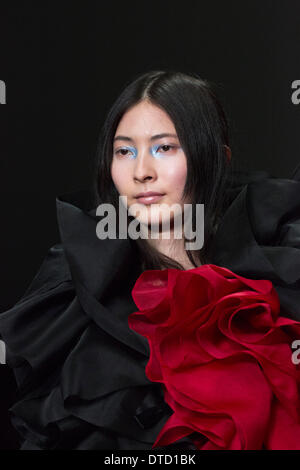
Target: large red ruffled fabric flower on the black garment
<point>223,354</point>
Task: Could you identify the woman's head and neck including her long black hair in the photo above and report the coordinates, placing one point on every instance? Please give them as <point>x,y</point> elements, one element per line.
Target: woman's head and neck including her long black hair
<point>185,107</point>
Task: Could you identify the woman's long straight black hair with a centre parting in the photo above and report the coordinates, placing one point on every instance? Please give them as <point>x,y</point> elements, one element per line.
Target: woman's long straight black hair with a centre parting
<point>202,130</point>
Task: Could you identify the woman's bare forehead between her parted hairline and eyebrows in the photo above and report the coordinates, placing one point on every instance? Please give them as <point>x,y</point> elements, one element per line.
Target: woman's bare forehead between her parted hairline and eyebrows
<point>145,119</point>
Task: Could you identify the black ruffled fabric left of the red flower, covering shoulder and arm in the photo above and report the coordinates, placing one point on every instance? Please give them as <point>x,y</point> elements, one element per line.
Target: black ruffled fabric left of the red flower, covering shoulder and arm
<point>80,370</point>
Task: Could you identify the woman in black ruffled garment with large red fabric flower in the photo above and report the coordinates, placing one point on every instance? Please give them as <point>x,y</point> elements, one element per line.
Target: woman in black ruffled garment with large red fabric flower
<point>122,343</point>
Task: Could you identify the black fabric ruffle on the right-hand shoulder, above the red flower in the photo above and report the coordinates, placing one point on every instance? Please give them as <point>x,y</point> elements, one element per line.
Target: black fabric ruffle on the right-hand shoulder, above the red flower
<point>259,237</point>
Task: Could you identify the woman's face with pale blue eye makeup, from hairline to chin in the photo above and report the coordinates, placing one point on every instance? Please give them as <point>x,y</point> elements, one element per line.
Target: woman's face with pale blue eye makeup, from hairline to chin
<point>145,159</point>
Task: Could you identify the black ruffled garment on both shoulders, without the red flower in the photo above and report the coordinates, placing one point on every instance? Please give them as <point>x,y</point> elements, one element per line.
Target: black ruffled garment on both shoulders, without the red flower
<point>80,369</point>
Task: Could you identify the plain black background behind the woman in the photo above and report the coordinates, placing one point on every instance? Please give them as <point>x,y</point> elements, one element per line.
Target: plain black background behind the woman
<point>64,64</point>
